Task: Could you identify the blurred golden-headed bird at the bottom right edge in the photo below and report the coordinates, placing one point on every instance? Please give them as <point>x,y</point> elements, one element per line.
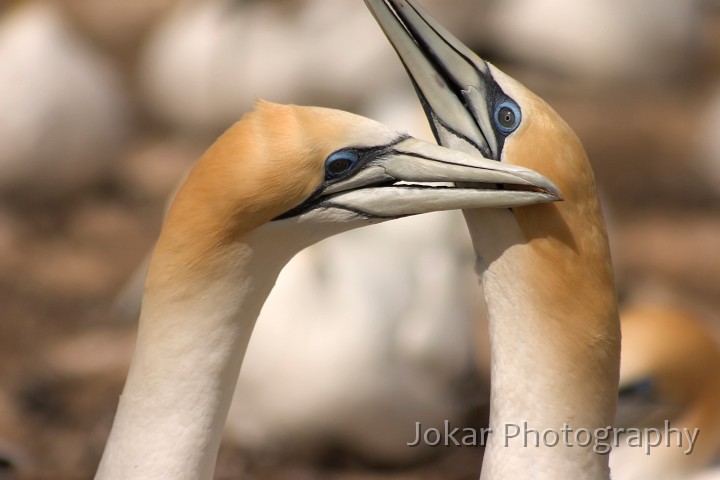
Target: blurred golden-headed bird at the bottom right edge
<point>670,371</point>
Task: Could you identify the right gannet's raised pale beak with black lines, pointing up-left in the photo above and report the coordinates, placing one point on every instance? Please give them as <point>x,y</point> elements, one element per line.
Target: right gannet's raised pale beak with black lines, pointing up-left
<point>455,86</point>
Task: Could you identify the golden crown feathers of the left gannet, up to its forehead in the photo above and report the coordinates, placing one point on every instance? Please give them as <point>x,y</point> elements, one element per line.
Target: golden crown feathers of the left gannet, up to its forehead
<point>267,163</point>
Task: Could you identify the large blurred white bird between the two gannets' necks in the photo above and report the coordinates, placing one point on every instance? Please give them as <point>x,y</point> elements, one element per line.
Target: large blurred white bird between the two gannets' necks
<point>351,350</point>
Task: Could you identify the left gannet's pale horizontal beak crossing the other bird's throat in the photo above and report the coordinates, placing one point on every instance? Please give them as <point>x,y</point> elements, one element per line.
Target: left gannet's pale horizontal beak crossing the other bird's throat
<point>414,177</point>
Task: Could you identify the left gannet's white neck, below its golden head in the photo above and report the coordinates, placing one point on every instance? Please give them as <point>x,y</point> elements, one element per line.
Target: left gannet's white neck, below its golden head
<point>195,324</point>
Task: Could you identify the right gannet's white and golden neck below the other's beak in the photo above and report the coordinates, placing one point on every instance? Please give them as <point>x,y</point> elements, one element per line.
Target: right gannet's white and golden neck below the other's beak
<point>555,344</point>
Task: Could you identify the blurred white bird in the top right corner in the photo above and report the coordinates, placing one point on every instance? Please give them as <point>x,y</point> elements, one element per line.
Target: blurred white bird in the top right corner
<point>599,40</point>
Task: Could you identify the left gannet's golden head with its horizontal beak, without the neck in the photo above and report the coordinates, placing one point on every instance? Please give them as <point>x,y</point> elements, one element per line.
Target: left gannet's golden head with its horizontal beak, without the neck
<point>284,177</point>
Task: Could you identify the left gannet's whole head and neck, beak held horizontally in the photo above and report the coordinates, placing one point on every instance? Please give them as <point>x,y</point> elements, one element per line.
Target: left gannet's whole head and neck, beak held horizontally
<point>280,179</point>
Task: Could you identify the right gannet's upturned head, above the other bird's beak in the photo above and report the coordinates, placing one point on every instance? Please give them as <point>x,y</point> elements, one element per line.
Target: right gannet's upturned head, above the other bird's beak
<point>471,104</point>
